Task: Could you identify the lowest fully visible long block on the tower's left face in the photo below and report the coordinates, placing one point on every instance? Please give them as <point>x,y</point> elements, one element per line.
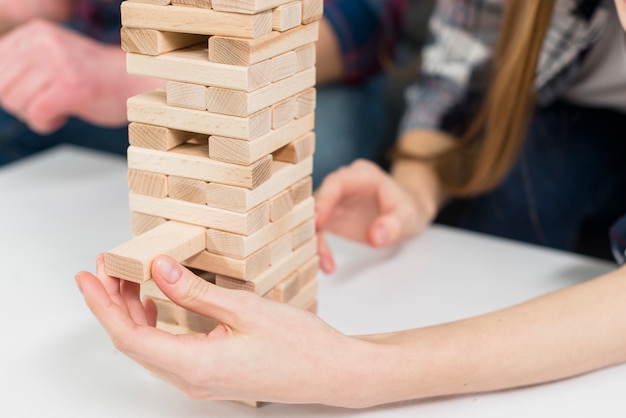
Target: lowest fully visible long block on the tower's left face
<point>202,215</point>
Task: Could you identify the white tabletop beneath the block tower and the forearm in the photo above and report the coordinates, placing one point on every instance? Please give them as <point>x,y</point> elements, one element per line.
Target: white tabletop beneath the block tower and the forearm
<point>63,207</point>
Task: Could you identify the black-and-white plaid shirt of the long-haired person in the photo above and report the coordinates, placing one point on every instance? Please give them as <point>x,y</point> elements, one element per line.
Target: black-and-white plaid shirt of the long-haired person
<point>464,33</point>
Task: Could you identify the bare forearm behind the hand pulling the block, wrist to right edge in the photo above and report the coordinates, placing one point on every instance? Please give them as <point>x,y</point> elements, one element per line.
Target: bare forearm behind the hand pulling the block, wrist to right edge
<point>555,336</point>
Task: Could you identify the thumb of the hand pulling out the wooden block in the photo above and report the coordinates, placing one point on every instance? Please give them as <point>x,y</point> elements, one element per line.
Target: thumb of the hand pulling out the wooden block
<point>191,292</point>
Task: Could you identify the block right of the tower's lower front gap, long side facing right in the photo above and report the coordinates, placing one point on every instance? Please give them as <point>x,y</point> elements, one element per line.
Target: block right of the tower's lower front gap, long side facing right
<point>238,151</point>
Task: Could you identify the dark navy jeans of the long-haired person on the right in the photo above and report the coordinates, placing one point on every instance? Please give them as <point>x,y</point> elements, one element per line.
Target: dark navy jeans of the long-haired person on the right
<point>567,188</point>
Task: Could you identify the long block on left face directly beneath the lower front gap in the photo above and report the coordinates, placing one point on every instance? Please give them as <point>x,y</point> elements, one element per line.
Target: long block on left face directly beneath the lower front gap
<point>179,163</point>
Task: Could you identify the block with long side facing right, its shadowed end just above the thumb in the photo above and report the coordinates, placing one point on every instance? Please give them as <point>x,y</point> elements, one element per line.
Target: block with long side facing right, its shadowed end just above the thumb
<point>275,274</point>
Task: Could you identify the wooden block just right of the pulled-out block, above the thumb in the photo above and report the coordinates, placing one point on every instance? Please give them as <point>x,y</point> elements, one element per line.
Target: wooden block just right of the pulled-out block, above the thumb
<point>243,269</point>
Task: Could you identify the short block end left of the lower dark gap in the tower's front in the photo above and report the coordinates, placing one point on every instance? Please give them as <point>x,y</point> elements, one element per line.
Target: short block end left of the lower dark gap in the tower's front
<point>157,137</point>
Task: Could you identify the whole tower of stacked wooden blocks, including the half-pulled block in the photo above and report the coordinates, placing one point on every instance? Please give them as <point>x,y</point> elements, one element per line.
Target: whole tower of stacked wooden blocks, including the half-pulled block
<point>220,160</point>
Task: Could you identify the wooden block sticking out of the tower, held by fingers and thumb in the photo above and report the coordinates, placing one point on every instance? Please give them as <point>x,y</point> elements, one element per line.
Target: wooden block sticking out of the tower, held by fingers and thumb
<point>131,260</point>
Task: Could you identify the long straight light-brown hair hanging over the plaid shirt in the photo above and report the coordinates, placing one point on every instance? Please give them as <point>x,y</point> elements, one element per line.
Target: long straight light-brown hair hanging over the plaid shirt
<point>484,155</point>
